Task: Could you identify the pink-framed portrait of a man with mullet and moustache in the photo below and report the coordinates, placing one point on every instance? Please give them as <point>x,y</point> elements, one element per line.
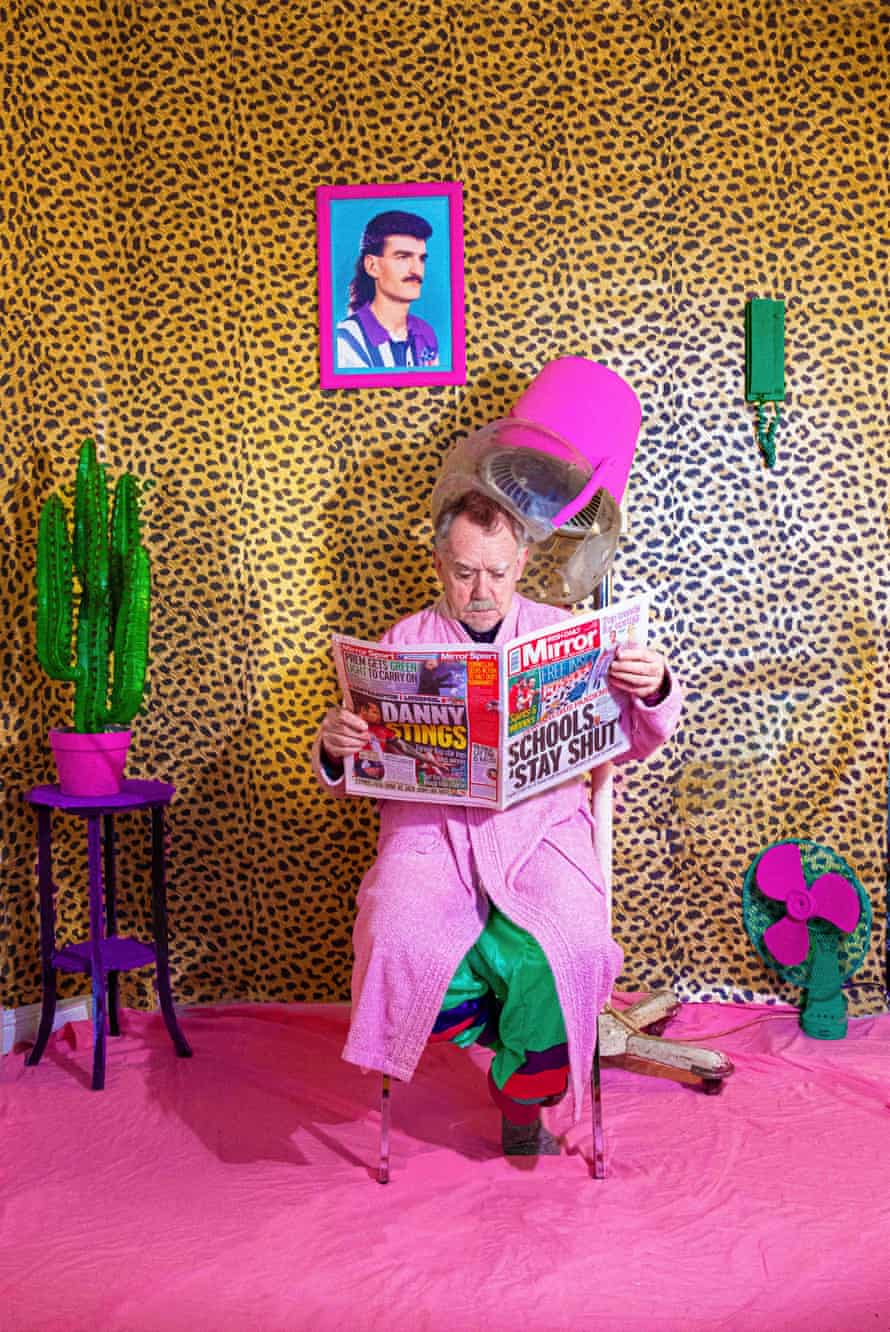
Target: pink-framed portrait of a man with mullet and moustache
<point>391,286</point>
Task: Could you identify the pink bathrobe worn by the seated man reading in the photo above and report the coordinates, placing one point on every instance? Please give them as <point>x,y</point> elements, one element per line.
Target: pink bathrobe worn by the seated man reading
<point>424,902</point>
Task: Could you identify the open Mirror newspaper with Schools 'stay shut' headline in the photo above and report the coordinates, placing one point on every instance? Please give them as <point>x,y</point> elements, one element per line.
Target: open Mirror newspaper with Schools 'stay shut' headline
<point>474,724</point>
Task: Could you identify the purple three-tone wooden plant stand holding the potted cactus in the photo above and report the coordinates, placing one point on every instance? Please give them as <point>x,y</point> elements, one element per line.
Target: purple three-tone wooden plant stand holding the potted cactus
<point>105,954</point>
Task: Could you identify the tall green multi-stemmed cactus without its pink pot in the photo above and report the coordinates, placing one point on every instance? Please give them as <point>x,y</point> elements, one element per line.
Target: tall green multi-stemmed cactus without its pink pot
<point>113,572</point>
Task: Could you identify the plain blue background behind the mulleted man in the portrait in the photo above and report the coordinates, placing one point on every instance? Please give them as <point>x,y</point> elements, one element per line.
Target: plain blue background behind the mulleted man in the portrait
<point>348,219</point>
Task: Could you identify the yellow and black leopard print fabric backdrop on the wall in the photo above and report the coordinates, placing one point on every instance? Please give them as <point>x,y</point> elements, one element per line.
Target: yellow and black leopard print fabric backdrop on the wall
<point>632,175</point>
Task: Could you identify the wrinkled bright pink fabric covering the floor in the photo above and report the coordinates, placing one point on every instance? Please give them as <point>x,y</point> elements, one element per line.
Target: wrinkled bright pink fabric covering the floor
<point>236,1190</point>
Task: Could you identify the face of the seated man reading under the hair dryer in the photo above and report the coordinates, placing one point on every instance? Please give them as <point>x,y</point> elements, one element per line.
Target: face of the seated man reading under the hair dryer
<point>480,571</point>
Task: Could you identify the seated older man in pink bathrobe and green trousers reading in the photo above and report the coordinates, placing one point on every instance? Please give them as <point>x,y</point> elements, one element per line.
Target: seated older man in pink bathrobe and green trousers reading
<point>479,925</point>
